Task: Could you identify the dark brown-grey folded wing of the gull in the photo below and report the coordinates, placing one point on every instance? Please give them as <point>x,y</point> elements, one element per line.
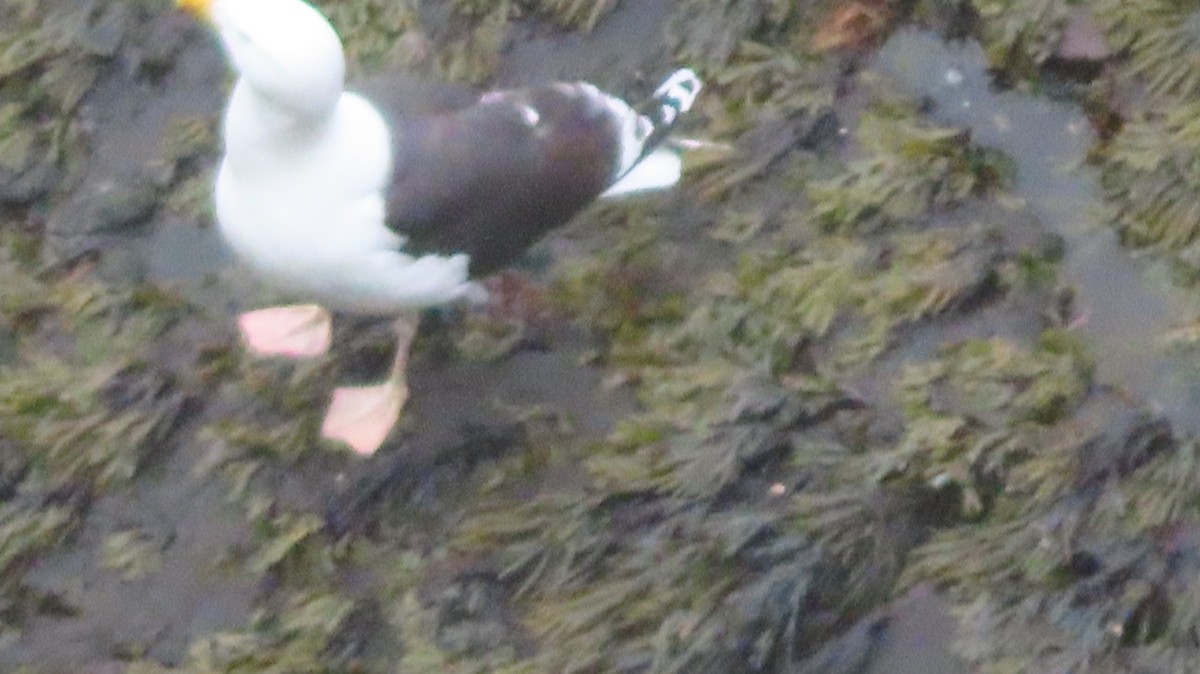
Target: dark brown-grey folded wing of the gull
<point>491,179</point>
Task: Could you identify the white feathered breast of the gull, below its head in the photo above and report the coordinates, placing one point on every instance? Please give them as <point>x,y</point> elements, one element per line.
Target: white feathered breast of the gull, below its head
<point>301,204</point>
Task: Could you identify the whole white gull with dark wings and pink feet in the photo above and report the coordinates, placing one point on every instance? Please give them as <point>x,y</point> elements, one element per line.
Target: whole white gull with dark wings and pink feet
<point>395,203</point>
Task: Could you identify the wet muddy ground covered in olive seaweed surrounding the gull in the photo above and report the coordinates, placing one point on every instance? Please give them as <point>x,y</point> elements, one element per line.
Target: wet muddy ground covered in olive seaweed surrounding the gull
<point>875,390</point>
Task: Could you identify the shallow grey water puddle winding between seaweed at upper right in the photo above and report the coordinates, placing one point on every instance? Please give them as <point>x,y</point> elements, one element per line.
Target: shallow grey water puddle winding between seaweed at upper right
<point>1126,306</point>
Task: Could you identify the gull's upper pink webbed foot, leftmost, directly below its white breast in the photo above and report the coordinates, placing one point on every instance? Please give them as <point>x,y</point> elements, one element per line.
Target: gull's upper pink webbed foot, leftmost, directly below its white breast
<point>298,332</point>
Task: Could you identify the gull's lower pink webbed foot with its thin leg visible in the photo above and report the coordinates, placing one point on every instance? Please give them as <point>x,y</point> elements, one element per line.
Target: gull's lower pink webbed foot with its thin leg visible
<point>363,417</point>
